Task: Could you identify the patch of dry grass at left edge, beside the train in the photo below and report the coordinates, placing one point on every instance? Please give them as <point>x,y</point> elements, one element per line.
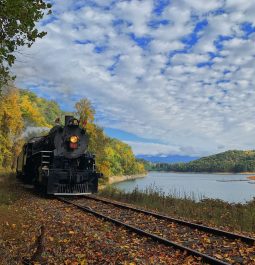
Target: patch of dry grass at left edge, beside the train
<point>8,193</point>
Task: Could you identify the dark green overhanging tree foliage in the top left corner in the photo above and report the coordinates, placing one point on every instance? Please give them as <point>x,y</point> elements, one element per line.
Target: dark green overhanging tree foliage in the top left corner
<point>18,28</point>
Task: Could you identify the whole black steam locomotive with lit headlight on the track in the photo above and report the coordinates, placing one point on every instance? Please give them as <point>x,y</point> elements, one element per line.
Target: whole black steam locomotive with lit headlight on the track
<point>59,163</point>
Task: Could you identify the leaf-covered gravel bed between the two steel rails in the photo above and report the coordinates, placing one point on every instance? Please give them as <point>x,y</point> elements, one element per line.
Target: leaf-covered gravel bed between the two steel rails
<point>232,251</point>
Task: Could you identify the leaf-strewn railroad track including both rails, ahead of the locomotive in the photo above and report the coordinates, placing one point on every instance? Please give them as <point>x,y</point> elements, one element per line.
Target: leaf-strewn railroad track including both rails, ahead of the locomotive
<point>213,246</point>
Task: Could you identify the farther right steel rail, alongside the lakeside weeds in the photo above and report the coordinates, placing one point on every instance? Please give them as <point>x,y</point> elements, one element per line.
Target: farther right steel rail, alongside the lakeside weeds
<point>214,231</point>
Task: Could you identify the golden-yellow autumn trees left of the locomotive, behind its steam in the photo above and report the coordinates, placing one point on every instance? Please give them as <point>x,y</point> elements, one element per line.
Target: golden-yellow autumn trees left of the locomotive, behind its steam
<point>21,110</point>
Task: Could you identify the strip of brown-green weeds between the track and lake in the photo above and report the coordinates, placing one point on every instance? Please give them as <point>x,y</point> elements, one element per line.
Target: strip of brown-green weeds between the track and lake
<point>235,216</point>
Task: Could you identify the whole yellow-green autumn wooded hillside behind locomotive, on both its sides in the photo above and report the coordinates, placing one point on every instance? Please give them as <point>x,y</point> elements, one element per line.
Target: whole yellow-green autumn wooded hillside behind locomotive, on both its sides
<point>23,114</point>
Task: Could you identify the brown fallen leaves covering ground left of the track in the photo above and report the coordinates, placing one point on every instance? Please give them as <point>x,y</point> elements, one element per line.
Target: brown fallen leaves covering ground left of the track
<point>45,231</point>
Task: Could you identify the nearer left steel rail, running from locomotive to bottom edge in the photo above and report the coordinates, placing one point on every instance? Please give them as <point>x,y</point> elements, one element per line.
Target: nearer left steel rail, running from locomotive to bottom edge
<point>204,257</point>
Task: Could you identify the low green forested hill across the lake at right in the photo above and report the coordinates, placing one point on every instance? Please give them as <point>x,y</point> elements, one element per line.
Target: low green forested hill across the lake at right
<point>230,161</point>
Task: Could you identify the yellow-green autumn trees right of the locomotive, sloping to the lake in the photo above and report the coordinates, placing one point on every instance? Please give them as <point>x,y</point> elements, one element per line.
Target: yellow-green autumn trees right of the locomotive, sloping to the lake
<point>113,157</point>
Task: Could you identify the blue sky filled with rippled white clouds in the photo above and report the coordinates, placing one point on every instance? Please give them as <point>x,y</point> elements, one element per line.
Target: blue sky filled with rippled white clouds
<point>168,77</point>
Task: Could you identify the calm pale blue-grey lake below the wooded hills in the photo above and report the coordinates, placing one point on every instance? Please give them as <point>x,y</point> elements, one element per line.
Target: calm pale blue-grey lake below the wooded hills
<point>232,188</point>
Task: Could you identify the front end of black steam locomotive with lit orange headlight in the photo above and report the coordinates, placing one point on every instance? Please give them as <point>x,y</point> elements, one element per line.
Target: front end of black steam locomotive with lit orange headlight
<point>73,170</point>
